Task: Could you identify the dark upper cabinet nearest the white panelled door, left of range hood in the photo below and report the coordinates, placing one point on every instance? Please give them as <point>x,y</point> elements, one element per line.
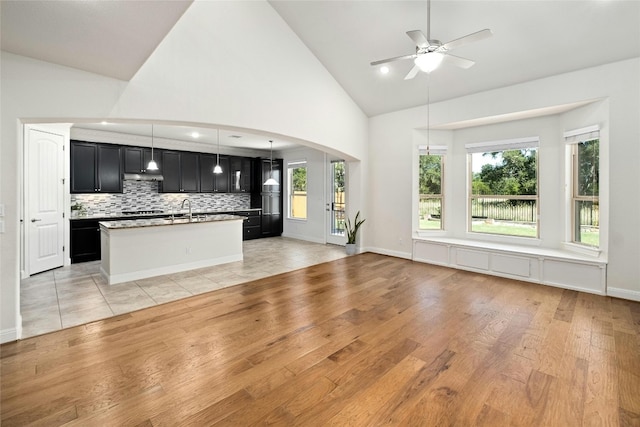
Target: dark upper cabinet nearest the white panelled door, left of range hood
<point>95,168</point>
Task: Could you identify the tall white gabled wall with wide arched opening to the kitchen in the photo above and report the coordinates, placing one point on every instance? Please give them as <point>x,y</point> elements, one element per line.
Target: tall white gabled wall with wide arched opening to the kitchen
<point>225,63</point>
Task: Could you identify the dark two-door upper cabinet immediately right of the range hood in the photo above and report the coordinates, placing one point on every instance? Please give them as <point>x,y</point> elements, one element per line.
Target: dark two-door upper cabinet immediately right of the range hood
<point>181,172</point>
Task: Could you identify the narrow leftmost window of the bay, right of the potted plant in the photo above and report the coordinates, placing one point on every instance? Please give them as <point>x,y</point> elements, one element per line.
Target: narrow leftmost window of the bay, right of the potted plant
<point>430,199</point>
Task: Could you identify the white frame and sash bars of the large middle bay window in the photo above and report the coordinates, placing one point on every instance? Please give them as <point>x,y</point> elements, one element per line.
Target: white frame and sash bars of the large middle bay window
<point>502,146</point>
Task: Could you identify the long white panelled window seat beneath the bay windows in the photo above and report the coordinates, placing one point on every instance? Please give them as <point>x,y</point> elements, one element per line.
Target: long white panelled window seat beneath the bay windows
<point>554,267</point>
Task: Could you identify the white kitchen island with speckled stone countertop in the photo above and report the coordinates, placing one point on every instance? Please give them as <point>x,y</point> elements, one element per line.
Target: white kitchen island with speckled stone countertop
<point>141,248</point>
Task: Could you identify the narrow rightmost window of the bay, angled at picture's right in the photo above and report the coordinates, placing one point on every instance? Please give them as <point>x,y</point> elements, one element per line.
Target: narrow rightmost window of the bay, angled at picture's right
<point>585,172</point>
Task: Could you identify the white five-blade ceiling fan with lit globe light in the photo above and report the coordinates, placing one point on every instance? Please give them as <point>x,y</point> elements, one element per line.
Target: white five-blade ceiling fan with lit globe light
<point>430,53</point>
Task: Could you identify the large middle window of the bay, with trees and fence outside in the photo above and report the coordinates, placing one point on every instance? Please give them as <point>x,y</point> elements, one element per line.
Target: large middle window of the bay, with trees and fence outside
<point>503,189</point>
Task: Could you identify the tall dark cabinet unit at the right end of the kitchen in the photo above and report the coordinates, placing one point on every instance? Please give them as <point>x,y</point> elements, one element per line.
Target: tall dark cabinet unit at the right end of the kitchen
<point>269,199</point>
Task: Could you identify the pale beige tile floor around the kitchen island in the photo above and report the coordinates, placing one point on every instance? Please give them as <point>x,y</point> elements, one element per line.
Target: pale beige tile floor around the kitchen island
<point>76,294</point>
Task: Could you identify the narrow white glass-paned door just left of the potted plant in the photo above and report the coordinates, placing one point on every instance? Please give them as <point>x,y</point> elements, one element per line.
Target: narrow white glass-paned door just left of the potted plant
<point>336,203</point>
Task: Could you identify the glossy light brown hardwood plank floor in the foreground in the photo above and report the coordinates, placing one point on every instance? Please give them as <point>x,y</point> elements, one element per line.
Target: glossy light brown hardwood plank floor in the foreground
<point>363,340</point>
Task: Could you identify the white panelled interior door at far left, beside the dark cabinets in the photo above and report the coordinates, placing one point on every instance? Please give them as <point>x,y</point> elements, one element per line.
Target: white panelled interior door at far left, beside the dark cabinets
<point>44,219</point>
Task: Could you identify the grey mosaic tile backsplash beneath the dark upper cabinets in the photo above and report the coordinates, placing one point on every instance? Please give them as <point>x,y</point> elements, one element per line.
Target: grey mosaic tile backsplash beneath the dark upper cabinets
<point>137,195</point>
